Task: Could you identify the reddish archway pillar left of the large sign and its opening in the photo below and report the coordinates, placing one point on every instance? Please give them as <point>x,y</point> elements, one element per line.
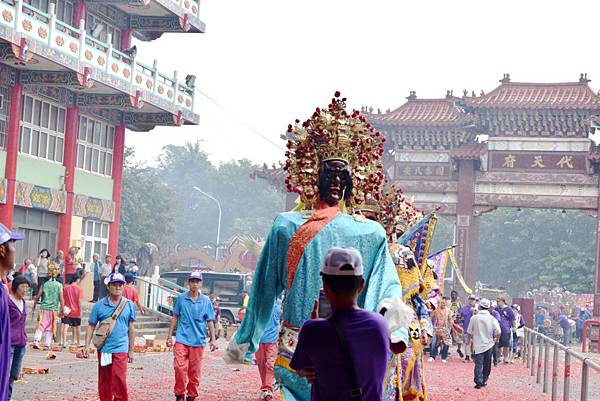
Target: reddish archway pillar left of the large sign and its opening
<point>467,225</point>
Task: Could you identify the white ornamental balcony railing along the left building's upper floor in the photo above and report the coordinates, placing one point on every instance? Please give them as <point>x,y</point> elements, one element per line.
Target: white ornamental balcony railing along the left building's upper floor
<point>75,42</point>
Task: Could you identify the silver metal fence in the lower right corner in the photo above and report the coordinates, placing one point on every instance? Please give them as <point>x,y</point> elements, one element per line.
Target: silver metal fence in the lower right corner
<point>537,349</point>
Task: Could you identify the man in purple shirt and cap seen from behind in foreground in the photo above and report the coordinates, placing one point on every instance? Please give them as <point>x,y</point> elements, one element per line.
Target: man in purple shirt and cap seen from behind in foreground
<point>320,355</point>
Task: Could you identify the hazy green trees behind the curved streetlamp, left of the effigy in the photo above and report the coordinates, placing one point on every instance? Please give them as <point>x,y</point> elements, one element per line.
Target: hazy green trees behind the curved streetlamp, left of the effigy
<point>248,206</point>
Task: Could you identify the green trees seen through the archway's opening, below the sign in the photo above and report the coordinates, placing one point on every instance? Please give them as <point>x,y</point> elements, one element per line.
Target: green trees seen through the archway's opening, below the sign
<point>524,249</point>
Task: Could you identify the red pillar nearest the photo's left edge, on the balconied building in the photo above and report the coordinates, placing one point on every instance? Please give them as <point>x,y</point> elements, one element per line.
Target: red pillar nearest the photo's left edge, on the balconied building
<point>12,153</point>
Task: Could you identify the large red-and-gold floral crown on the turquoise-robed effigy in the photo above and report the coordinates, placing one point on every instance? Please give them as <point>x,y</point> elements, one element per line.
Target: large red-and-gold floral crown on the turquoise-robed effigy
<point>333,133</point>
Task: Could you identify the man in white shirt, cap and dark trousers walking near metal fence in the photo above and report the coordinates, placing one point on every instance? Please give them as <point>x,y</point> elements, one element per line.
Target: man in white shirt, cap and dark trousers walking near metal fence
<point>483,331</point>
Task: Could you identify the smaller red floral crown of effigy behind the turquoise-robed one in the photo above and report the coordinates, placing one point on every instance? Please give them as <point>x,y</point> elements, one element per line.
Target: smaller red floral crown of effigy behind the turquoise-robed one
<point>396,213</point>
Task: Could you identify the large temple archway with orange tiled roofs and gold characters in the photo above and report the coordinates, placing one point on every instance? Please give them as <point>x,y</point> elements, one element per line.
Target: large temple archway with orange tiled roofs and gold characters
<point>523,145</point>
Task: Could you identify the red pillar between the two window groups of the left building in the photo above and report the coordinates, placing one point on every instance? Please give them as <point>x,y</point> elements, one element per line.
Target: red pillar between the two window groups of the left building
<point>69,160</point>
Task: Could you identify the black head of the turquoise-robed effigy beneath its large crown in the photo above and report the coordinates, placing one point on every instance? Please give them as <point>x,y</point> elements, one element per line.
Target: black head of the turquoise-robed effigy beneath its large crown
<point>335,181</point>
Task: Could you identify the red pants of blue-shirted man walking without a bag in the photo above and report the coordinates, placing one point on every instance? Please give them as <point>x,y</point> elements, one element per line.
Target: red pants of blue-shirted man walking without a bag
<point>188,369</point>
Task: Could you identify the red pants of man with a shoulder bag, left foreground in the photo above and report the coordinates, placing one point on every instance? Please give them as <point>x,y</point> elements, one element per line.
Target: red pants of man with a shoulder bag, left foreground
<point>112,379</point>
